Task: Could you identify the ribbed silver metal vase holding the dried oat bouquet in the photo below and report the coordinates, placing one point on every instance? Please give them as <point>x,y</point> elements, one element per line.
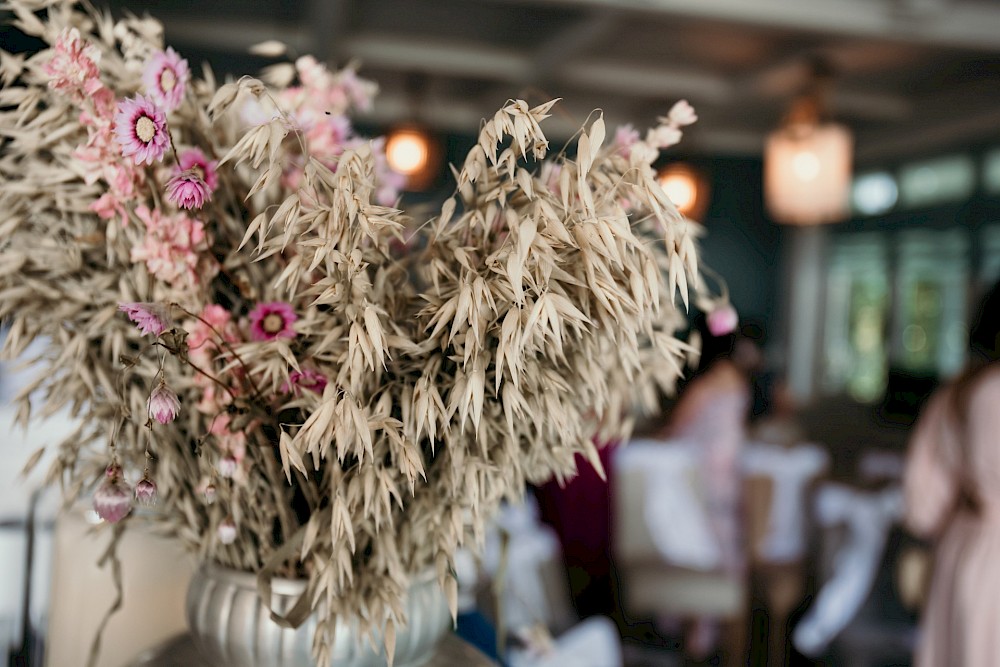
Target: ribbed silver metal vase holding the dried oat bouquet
<point>233,628</point>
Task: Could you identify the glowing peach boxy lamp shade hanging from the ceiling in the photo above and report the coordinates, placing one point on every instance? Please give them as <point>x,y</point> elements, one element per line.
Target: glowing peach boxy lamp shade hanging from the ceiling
<point>807,173</point>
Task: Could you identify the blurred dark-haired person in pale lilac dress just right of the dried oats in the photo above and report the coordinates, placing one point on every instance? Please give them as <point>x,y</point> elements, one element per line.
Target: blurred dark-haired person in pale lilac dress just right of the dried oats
<point>711,415</point>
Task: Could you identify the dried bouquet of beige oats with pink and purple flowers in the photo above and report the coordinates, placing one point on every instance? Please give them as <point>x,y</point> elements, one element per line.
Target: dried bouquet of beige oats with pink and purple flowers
<point>307,382</point>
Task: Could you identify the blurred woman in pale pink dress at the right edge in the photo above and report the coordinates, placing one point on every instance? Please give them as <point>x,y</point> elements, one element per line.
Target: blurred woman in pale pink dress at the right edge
<point>952,487</point>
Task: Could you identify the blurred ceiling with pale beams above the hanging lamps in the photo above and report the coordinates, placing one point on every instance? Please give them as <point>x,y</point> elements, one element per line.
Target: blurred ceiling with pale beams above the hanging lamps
<point>912,76</point>
